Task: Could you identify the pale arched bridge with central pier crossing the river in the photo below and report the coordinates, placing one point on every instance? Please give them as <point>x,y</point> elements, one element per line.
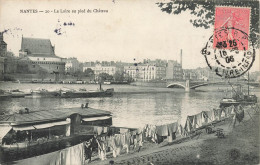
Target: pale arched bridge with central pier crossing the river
<point>188,85</point>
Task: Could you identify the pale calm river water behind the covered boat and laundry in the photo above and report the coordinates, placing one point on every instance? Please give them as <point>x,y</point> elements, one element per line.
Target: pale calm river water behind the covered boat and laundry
<point>129,109</point>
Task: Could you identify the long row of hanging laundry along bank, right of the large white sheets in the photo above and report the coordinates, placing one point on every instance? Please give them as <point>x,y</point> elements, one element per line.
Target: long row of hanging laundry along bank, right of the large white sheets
<point>120,138</point>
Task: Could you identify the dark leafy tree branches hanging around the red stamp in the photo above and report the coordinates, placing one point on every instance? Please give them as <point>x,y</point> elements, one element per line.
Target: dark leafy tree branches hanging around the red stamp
<point>204,11</point>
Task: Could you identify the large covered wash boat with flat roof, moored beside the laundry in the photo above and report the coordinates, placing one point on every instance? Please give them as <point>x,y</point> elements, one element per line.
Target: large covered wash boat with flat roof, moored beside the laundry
<point>28,134</point>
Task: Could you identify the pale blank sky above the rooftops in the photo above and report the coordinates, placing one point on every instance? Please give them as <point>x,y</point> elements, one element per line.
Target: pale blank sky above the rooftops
<point>129,30</point>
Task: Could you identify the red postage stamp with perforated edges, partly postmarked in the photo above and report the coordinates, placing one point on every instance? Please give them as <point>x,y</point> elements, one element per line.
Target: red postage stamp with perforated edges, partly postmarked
<point>231,27</point>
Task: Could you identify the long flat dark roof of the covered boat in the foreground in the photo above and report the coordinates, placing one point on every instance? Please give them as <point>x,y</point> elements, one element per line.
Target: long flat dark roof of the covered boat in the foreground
<point>50,115</point>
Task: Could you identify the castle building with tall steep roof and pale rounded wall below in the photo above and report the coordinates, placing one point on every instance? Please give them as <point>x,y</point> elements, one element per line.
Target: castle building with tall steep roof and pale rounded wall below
<point>40,55</point>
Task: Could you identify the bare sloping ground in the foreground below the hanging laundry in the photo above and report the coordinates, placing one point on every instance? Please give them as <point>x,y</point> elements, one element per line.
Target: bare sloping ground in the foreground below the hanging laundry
<point>239,146</point>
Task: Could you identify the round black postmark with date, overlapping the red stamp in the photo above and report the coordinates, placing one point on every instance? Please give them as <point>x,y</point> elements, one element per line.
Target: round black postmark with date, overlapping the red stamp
<point>229,53</point>
